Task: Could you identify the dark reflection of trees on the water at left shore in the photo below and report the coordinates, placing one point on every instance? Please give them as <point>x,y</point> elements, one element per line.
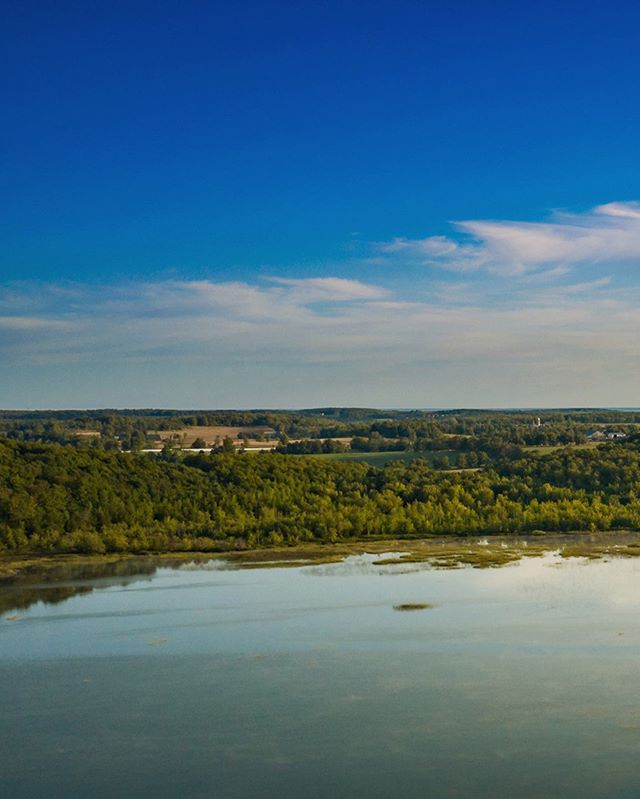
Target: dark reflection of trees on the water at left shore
<point>67,580</point>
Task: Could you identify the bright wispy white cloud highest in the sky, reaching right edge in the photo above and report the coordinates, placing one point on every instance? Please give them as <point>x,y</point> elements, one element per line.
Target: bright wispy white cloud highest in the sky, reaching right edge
<point>607,234</point>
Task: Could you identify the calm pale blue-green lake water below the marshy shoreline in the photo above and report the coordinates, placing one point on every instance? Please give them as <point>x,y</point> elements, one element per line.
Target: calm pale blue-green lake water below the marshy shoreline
<point>208,681</point>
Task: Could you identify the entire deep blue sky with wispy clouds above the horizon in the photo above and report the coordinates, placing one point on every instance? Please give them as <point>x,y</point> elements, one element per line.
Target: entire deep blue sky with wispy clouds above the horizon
<point>304,203</point>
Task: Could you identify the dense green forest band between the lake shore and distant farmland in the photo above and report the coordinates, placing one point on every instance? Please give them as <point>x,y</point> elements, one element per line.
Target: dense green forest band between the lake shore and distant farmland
<point>64,499</point>
